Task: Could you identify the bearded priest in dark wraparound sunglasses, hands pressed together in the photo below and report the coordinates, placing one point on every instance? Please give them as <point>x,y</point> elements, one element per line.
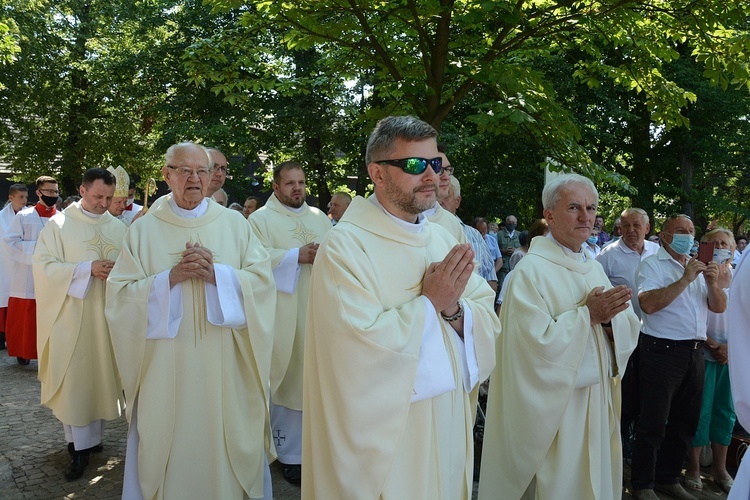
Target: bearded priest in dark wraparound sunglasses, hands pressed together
<point>400,331</point>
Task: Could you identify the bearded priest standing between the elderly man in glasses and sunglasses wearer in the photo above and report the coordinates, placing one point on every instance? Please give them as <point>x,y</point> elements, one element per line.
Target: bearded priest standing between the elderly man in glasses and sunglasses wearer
<point>290,231</point>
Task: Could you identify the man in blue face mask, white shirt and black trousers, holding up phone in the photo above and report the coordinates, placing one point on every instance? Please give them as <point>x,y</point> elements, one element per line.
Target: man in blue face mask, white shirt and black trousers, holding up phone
<point>675,293</point>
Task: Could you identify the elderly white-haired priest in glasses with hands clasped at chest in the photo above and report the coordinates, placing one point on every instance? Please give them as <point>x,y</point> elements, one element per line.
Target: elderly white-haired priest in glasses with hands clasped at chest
<point>190,306</point>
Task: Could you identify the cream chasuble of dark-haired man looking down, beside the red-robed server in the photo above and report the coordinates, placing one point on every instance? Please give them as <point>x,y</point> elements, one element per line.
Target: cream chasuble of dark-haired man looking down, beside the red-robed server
<point>77,368</point>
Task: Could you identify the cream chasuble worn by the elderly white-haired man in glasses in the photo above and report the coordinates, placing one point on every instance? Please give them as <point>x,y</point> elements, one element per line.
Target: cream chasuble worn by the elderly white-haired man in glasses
<point>202,396</point>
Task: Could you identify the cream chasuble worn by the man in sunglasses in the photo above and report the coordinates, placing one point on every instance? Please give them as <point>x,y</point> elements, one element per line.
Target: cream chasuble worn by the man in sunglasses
<point>362,435</point>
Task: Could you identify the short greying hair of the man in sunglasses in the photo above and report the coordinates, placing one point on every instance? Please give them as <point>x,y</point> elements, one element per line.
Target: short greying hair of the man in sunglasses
<point>407,128</point>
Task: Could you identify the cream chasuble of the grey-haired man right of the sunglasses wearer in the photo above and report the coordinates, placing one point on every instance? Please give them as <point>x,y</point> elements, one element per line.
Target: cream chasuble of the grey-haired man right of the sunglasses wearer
<point>539,425</point>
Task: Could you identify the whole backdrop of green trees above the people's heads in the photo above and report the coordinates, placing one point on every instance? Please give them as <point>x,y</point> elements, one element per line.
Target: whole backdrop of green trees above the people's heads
<point>648,98</point>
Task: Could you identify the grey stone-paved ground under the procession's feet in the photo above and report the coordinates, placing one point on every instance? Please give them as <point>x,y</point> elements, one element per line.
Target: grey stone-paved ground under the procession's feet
<point>33,452</point>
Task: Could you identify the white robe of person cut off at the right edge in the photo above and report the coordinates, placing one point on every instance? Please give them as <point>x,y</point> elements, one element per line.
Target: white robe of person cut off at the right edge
<point>739,368</point>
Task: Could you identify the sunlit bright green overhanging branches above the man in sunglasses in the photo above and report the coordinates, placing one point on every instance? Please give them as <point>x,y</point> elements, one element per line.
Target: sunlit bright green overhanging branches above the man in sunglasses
<point>428,57</point>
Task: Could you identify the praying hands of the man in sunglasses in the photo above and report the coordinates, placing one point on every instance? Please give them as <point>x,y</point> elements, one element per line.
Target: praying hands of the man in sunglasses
<point>444,282</point>
